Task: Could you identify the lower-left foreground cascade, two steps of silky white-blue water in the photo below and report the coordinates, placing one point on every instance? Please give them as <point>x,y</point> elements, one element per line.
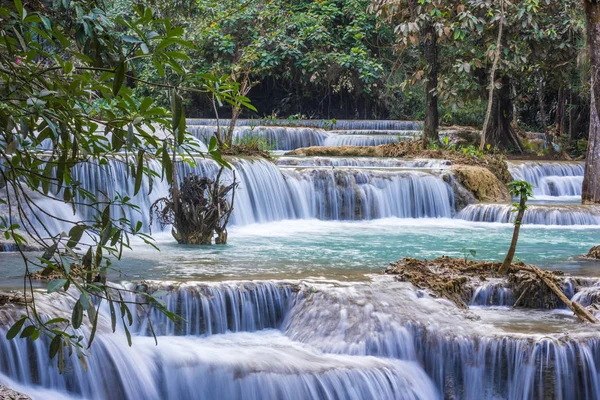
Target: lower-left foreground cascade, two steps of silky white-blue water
<point>203,365</point>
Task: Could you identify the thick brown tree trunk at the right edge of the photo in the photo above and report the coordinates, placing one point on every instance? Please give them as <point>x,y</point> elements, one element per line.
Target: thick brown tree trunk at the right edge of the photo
<point>591,179</point>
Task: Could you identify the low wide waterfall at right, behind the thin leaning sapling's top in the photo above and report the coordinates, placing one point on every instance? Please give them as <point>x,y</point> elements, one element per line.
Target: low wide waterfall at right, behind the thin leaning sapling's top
<point>535,214</point>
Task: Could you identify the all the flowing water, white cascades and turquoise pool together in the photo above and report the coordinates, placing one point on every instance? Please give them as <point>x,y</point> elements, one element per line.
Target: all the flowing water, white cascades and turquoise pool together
<point>295,305</point>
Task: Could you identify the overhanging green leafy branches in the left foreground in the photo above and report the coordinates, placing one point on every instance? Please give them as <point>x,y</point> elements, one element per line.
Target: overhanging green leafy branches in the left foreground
<point>65,100</point>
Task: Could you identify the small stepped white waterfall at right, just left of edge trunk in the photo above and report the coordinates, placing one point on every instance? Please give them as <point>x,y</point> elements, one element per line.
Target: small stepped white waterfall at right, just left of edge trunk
<point>554,179</point>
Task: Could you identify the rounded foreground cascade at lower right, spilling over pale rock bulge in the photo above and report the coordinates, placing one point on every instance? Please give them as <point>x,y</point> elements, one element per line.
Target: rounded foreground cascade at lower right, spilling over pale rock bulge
<point>466,359</point>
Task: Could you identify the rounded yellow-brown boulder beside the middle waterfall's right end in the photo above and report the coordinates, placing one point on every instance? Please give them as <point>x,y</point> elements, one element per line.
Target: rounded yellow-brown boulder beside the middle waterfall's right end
<point>484,185</point>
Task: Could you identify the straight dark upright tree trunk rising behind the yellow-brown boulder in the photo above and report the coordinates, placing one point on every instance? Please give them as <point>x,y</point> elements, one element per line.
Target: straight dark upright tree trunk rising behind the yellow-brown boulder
<point>431,122</point>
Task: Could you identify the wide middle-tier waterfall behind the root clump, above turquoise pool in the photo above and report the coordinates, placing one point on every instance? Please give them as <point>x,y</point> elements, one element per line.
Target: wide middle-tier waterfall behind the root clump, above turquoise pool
<point>267,193</point>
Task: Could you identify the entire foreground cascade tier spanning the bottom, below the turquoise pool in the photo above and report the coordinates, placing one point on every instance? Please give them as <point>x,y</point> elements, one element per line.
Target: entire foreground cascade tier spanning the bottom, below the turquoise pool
<point>375,340</point>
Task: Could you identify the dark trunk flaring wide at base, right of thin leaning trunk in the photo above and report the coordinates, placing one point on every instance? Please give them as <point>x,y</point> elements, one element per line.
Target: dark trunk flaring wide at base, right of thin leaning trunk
<point>500,133</point>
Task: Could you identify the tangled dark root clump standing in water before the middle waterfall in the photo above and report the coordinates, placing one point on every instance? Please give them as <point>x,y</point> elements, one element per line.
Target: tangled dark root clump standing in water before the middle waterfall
<point>199,210</point>
